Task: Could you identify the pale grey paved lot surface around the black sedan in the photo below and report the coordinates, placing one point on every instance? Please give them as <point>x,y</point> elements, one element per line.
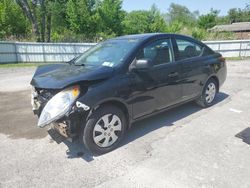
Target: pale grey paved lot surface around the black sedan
<point>184,147</point>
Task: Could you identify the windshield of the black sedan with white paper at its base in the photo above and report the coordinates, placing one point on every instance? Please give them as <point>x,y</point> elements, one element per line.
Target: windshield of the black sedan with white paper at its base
<point>109,53</point>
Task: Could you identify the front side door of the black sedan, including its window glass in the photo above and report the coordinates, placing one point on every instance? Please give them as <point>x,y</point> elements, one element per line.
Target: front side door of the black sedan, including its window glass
<point>156,88</point>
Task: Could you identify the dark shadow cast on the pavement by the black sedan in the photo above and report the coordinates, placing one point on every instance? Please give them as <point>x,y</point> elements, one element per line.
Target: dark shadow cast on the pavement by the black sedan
<point>143,127</point>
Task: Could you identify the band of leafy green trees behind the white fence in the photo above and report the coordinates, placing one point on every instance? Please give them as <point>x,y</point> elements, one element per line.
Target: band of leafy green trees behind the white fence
<point>90,20</point>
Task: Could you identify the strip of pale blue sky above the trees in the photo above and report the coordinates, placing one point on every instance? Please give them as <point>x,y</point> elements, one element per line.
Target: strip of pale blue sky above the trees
<point>203,6</point>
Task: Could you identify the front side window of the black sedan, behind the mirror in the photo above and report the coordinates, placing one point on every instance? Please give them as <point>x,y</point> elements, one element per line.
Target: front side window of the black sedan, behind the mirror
<point>159,52</point>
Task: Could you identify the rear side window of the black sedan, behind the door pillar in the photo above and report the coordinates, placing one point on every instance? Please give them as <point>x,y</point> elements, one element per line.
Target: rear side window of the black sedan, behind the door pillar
<point>187,49</point>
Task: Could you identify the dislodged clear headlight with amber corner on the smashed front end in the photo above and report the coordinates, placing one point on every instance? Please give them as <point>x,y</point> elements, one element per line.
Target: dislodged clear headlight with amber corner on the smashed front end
<point>58,106</point>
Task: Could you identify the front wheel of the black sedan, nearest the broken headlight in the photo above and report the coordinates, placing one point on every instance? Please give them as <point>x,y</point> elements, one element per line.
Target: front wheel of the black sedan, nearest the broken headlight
<point>104,130</point>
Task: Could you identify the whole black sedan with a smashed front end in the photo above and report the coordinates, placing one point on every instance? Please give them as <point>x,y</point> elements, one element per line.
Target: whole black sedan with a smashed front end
<point>98,95</point>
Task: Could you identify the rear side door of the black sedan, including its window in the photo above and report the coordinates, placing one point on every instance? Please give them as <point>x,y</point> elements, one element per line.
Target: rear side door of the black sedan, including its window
<point>188,54</point>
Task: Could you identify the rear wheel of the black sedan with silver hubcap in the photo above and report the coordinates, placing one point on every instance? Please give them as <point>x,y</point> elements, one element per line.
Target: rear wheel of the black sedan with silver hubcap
<point>208,94</point>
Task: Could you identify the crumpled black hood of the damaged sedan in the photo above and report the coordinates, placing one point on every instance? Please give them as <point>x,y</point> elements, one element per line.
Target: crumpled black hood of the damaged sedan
<point>58,76</point>
